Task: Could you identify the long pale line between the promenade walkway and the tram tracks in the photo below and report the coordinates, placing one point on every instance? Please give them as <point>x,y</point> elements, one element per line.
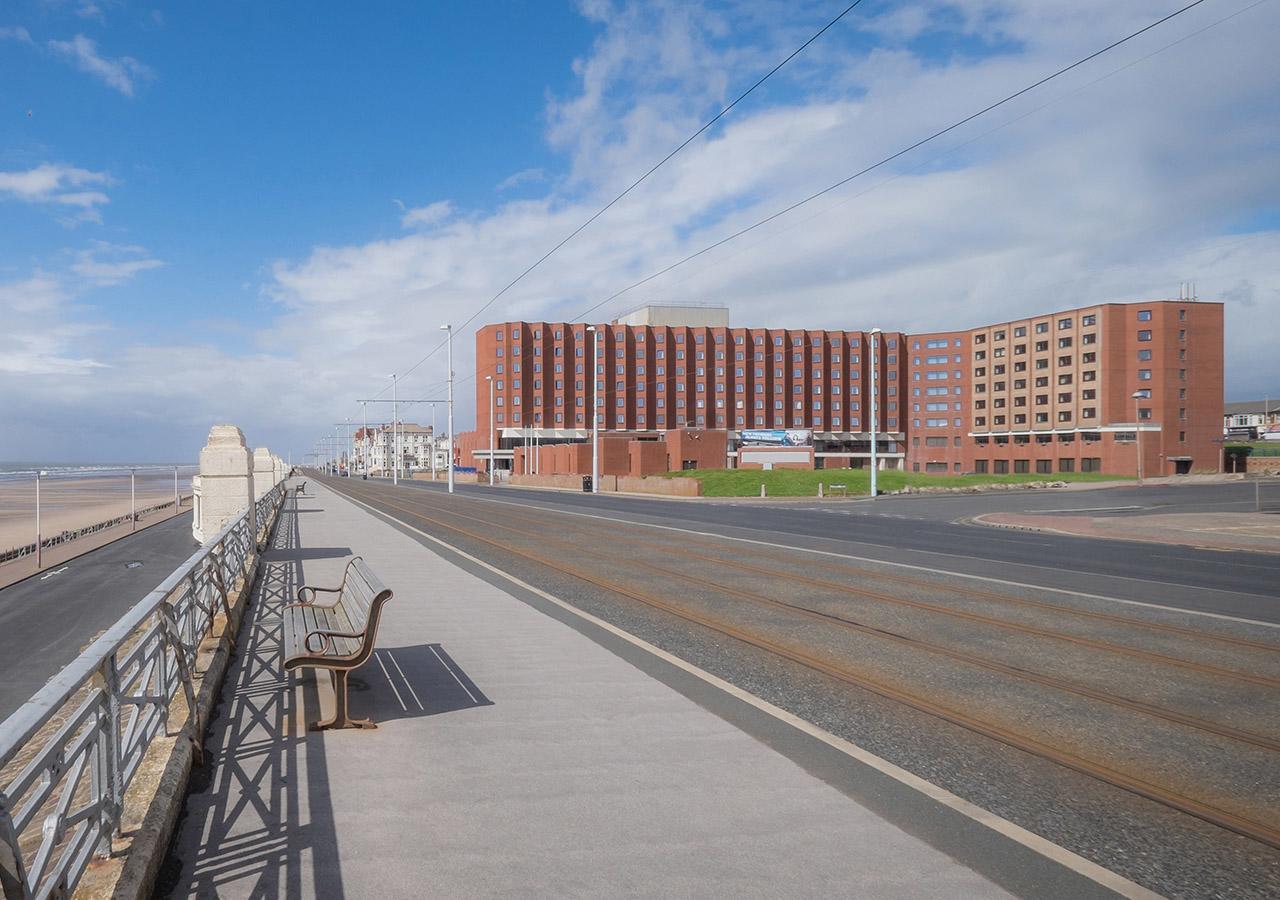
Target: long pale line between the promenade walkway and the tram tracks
<point>1016,833</point>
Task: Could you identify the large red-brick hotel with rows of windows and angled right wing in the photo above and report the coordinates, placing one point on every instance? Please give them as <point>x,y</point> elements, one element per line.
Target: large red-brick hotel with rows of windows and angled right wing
<point>1045,395</point>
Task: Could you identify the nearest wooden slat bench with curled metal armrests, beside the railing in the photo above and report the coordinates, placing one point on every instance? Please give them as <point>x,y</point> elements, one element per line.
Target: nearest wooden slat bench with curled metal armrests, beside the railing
<point>339,637</point>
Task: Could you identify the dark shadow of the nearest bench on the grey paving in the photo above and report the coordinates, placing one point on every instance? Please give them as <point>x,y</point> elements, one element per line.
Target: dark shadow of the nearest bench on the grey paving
<point>413,682</point>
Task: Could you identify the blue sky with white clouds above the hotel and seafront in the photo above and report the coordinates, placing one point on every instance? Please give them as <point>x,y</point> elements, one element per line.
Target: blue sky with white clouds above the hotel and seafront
<point>255,212</point>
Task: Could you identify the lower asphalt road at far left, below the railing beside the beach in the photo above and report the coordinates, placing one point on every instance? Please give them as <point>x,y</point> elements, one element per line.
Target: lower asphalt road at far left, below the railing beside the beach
<point>49,619</point>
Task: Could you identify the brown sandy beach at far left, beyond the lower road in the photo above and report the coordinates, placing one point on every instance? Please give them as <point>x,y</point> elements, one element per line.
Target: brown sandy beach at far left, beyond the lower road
<point>70,504</point>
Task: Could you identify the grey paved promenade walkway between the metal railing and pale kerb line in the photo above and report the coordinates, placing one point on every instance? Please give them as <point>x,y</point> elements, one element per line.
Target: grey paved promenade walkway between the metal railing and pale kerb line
<point>520,755</point>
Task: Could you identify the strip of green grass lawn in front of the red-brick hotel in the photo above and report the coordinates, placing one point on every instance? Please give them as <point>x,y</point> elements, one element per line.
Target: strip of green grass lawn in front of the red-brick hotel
<point>804,483</point>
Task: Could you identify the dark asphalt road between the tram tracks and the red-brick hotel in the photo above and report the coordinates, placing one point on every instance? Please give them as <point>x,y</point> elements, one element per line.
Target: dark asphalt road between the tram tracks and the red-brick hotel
<point>931,532</point>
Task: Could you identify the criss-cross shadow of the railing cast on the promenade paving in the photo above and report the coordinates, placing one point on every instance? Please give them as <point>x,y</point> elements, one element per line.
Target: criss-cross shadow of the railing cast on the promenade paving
<point>245,829</point>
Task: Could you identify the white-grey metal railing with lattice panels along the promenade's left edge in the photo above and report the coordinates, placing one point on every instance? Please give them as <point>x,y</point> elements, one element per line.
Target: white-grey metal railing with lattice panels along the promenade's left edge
<point>68,755</point>
